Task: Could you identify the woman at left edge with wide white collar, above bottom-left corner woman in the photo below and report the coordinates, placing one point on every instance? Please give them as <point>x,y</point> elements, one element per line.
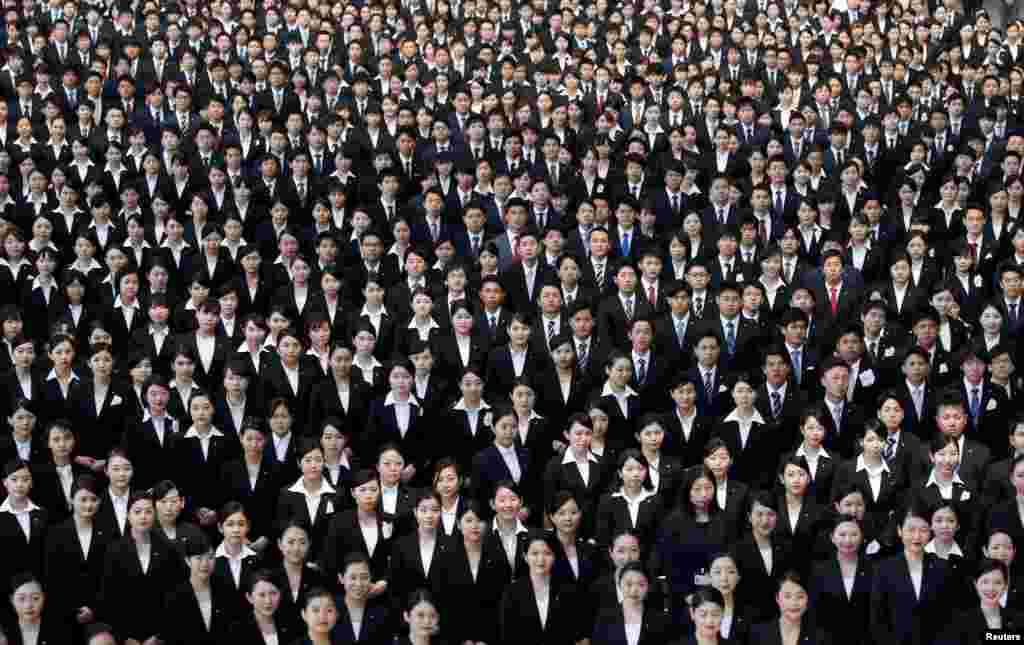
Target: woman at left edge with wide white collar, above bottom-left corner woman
<point>23,546</point>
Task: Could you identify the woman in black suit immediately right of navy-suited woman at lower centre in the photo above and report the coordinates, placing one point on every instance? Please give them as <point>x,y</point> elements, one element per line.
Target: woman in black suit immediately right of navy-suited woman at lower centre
<point>578,471</point>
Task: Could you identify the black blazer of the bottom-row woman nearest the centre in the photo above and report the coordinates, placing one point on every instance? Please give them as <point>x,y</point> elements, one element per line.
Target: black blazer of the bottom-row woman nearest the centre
<point>520,621</point>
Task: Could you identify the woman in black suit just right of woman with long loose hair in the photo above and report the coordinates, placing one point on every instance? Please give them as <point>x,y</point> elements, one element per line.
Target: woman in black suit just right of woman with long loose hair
<point>762,555</point>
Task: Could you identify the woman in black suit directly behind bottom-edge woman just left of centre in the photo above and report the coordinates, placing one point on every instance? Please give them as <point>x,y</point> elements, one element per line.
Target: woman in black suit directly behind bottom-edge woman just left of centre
<point>416,557</point>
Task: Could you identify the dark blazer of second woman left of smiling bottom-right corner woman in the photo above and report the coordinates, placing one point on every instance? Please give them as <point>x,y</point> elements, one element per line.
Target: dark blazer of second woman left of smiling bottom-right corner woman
<point>845,618</point>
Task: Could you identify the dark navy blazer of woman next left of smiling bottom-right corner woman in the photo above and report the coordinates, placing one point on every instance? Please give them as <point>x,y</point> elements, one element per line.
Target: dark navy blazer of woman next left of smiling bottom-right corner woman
<point>898,615</point>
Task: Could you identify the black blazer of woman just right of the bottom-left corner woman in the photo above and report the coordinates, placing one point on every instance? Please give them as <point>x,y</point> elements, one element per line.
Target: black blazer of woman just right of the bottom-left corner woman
<point>72,577</point>
